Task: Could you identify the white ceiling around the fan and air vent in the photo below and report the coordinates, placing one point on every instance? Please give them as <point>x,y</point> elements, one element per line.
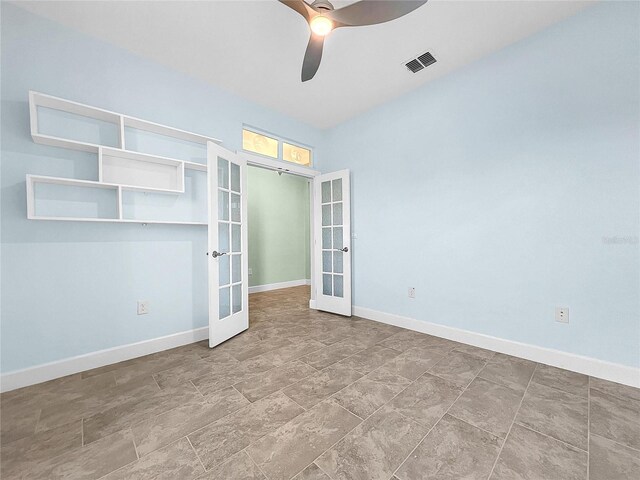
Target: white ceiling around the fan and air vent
<point>255,48</point>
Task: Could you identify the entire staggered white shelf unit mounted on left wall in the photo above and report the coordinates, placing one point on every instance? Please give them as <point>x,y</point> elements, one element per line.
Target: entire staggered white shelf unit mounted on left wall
<point>119,169</point>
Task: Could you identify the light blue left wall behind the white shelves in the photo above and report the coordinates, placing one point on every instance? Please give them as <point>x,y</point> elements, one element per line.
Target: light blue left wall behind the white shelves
<point>71,288</point>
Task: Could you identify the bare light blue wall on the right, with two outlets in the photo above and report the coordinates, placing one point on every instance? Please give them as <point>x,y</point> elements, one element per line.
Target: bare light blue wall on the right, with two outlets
<point>490,190</point>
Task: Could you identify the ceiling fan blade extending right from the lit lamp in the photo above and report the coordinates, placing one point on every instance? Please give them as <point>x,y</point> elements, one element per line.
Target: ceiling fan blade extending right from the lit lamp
<point>371,12</point>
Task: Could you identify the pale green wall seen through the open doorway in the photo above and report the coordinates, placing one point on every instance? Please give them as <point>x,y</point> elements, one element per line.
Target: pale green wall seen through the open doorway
<point>278,227</point>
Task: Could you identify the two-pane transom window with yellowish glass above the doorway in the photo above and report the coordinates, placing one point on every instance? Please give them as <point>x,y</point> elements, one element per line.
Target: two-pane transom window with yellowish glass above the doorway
<point>275,147</point>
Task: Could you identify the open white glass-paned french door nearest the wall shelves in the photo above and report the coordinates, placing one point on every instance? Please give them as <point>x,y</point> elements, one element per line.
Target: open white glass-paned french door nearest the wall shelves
<point>227,244</point>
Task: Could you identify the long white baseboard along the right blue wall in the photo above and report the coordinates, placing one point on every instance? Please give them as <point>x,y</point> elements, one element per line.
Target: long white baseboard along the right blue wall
<point>614,372</point>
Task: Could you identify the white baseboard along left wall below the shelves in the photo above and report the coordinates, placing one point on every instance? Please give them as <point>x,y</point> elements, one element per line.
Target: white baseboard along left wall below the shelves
<point>49,371</point>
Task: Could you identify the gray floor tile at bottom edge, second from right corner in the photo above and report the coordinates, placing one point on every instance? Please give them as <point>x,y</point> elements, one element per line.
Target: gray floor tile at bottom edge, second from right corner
<point>528,455</point>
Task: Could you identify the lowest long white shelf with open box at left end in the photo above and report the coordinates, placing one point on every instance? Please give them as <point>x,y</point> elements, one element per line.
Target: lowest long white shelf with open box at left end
<point>32,214</point>
